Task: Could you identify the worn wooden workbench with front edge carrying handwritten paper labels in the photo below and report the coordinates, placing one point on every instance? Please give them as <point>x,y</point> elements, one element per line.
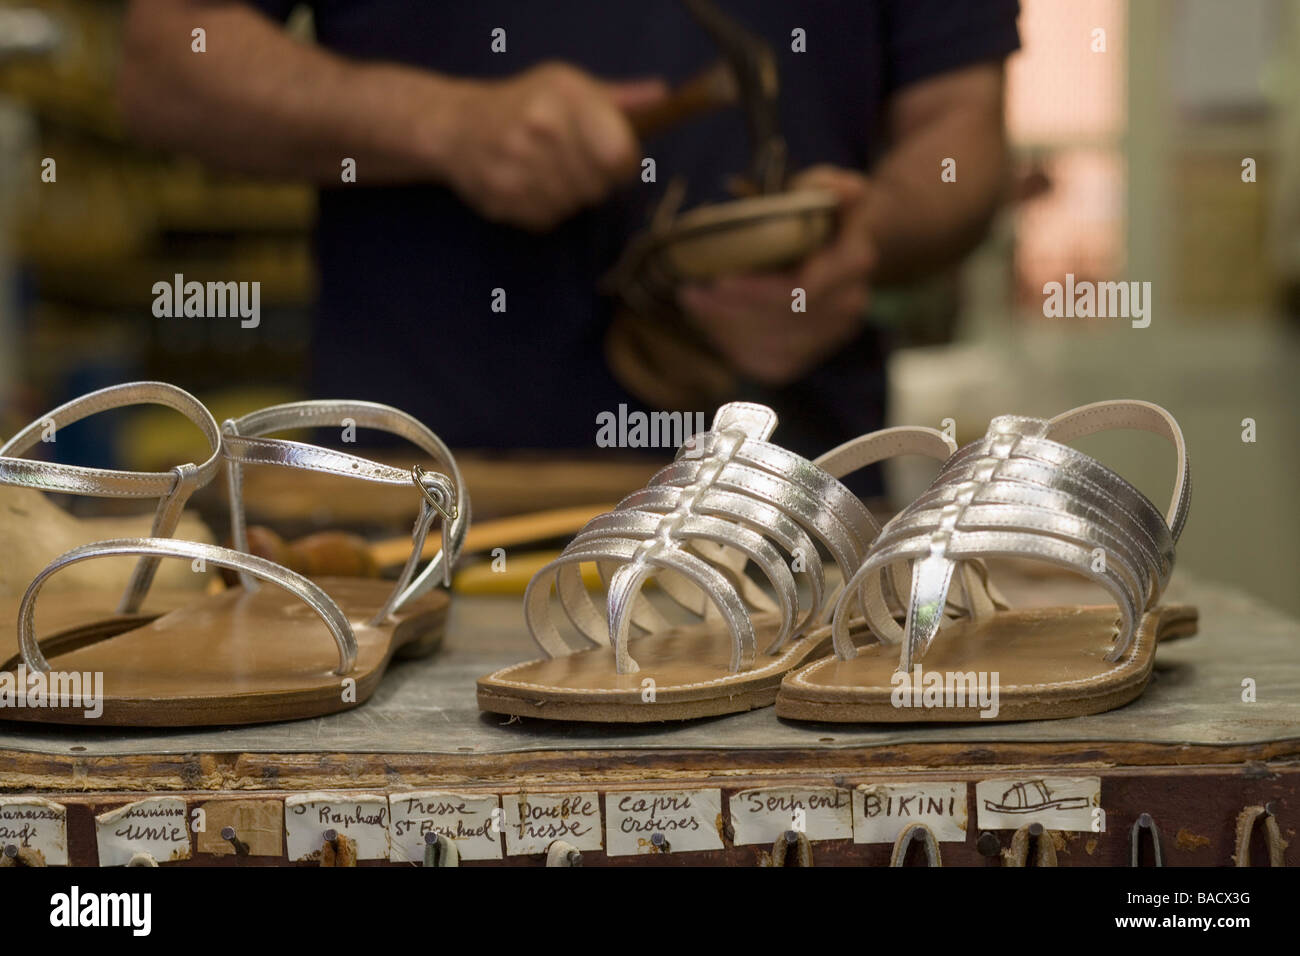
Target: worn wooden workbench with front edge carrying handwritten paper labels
<point>1190,752</point>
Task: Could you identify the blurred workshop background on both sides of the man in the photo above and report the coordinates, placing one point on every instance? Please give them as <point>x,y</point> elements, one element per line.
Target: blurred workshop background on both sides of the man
<point>1129,168</point>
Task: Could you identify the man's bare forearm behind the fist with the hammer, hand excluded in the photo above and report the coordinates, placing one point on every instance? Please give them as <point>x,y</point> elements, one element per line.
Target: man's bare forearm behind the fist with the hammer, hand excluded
<point>262,102</point>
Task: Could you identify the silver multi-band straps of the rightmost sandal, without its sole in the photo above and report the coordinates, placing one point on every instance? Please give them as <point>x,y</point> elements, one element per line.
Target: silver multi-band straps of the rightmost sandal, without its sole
<point>1021,494</point>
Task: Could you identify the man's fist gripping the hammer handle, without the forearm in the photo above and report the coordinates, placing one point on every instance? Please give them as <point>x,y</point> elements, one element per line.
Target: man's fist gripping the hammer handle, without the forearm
<point>538,148</point>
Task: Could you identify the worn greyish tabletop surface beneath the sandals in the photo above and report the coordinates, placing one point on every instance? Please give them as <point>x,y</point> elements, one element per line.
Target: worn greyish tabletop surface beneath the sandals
<point>1194,707</point>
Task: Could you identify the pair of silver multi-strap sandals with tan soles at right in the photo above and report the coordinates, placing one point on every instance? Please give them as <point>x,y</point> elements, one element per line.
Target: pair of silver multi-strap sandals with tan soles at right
<point>738,534</point>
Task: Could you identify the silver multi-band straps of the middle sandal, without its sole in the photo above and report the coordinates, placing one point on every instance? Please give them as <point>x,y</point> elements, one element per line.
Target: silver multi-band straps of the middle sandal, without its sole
<point>731,499</point>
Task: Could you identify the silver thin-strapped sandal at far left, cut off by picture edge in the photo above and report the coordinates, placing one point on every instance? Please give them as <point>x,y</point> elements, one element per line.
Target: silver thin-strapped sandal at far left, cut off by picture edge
<point>85,612</point>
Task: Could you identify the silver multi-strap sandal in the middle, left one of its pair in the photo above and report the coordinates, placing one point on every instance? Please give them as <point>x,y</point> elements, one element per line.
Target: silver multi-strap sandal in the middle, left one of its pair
<point>730,503</point>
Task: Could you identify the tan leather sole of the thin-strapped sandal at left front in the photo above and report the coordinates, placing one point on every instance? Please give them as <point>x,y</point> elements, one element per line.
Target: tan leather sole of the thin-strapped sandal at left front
<point>235,659</point>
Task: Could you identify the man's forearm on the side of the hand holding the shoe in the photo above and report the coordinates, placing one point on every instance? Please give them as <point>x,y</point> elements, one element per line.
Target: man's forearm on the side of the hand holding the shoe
<point>918,222</point>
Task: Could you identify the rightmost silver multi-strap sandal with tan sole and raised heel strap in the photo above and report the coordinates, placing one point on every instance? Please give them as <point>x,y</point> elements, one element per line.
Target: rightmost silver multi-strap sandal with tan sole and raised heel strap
<point>1017,494</point>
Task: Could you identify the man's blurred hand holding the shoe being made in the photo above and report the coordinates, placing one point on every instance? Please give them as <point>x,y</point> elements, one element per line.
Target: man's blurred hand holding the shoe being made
<point>749,318</point>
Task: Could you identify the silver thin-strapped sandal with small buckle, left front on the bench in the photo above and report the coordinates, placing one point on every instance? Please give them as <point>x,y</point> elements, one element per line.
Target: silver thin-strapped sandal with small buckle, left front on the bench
<point>252,655</point>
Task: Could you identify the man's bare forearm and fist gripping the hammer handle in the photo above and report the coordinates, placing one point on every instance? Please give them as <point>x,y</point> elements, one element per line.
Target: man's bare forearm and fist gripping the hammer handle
<point>528,150</point>
